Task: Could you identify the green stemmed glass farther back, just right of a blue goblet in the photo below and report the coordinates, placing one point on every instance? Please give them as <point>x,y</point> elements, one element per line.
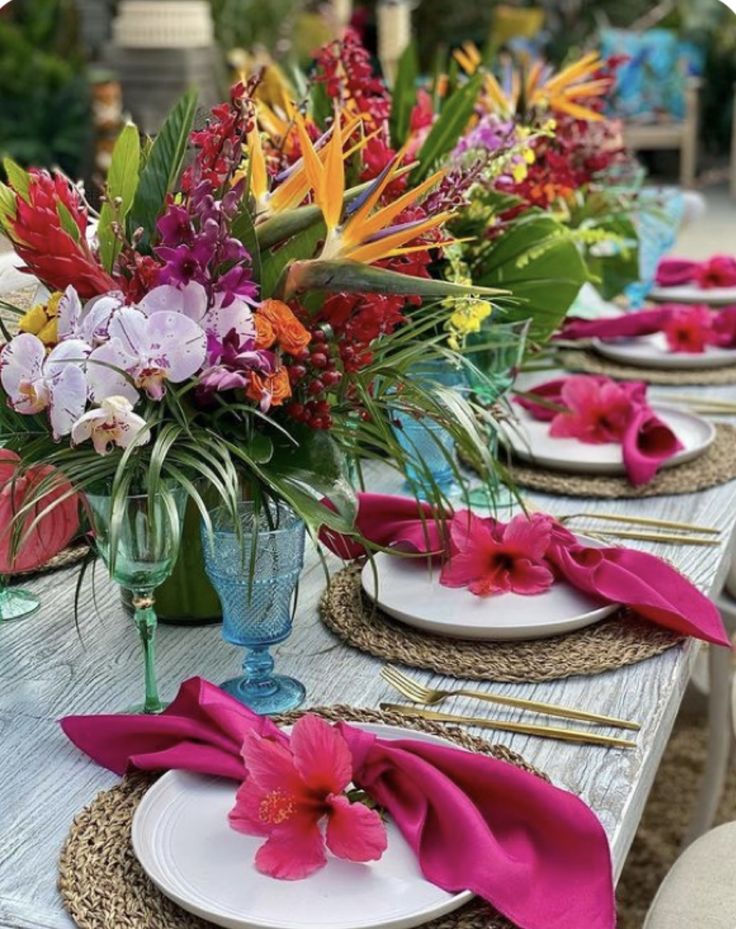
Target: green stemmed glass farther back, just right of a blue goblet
<point>496,353</point>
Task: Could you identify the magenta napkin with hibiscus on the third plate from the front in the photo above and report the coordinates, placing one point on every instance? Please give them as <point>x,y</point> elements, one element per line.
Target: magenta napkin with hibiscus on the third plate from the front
<point>646,441</point>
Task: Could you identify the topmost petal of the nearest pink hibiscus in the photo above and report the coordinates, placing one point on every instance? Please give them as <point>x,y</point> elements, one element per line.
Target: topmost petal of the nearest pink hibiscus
<point>321,755</point>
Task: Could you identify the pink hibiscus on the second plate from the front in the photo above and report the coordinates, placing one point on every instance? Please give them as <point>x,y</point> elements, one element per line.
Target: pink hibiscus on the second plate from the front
<point>488,557</point>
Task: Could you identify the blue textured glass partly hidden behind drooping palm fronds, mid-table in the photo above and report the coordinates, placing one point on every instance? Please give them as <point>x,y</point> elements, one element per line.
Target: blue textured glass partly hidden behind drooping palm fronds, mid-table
<point>429,447</point>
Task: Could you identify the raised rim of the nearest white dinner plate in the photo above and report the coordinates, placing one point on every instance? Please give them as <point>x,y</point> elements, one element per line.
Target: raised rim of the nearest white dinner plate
<point>171,890</point>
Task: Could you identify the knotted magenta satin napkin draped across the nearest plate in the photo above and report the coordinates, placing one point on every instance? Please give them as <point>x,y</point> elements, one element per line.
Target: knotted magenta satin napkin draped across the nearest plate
<point>535,852</point>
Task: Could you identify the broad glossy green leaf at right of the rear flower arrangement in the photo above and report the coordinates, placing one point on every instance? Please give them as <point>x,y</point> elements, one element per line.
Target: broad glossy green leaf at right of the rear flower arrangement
<point>539,262</point>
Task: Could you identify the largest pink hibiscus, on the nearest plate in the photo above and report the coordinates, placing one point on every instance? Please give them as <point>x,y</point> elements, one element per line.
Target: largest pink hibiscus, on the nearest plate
<point>291,789</point>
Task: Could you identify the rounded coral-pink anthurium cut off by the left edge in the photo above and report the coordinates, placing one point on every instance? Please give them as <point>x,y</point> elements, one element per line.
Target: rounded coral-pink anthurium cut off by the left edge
<point>54,531</point>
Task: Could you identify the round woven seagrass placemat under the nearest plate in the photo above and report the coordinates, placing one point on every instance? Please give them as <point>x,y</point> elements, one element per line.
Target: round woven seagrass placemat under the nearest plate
<point>103,886</point>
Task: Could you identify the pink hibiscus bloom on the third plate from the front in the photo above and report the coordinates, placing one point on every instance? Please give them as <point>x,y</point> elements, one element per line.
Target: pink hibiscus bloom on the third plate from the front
<point>598,411</point>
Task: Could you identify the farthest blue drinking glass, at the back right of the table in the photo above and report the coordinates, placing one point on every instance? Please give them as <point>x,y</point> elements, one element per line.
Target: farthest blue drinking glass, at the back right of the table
<point>657,223</point>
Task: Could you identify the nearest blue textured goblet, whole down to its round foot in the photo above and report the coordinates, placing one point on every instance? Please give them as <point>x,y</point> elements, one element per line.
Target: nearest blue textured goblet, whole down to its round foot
<point>254,566</point>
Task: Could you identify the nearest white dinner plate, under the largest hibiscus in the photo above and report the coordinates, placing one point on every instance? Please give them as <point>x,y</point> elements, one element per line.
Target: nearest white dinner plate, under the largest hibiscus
<point>183,841</point>
